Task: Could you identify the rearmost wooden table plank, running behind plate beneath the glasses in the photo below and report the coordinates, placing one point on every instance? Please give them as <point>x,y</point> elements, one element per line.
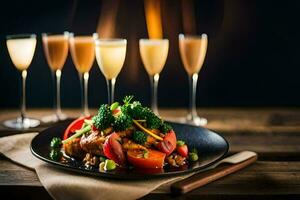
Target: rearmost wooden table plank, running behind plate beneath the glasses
<point>230,120</point>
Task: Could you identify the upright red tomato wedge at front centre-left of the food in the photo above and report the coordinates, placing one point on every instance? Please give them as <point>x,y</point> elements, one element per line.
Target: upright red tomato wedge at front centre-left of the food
<point>112,149</point>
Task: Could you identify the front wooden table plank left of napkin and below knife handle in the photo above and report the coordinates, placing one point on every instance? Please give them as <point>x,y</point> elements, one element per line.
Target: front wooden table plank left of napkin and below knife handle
<point>261,178</point>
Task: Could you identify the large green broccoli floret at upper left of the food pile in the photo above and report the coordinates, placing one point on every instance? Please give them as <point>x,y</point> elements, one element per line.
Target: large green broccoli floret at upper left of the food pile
<point>104,118</point>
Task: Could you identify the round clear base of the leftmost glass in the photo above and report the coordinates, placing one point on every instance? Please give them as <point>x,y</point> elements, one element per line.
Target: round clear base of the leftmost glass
<point>22,124</point>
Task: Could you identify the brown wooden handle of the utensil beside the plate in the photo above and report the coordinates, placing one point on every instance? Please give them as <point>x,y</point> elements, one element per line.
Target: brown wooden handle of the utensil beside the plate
<point>206,177</point>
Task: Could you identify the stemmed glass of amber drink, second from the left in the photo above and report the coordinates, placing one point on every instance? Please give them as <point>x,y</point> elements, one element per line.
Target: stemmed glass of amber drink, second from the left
<point>56,52</point>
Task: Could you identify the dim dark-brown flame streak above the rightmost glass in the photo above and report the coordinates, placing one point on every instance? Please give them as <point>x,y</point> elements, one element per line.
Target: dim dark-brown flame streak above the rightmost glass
<point>188,17</point>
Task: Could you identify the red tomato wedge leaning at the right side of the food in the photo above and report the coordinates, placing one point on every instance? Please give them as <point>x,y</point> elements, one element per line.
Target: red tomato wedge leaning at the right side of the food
<point>168,145</point>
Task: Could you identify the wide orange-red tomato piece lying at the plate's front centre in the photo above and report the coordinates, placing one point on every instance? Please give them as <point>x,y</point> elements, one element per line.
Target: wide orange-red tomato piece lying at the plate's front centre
<point>154,159</point>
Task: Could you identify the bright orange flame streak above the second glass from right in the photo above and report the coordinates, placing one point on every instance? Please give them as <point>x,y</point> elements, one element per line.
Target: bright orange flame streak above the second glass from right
<point>153,18</point>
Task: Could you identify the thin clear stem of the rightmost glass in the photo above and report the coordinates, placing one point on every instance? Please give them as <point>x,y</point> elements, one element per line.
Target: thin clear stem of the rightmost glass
<point>192,92</point>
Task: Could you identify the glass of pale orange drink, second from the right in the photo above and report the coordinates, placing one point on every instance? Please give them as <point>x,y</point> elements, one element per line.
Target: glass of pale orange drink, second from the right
<point>154,54</point>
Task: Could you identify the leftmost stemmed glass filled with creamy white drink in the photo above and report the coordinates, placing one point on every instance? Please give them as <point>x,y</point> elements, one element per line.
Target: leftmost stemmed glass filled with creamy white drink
<point>21,49</point>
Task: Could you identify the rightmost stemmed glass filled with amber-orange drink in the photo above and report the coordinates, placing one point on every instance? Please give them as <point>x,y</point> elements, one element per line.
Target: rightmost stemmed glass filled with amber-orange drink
<point>193,51</point>
